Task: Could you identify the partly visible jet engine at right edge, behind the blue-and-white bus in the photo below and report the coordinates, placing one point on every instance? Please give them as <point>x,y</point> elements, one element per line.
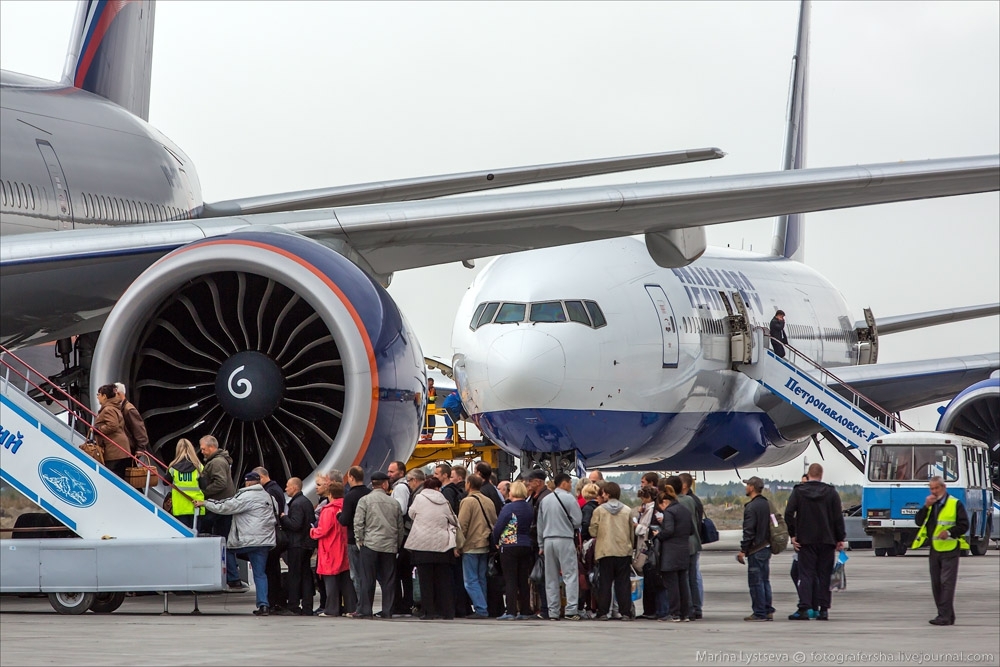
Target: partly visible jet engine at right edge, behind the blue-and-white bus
<point>975,413</point>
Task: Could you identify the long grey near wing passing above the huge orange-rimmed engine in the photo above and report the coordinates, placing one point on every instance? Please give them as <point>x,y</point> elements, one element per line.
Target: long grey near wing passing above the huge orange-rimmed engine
<point>90,268</point>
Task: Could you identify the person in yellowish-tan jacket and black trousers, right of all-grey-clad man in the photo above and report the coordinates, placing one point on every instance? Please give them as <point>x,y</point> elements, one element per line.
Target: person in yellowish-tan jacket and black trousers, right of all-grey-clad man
<point>611,527</point>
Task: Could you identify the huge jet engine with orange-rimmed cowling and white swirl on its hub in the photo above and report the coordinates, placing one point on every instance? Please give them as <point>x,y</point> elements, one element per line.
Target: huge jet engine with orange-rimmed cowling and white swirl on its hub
<point>280,347</point>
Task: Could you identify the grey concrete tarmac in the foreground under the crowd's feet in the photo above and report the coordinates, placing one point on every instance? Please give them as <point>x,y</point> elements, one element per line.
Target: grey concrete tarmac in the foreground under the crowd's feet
<point>881,619</point>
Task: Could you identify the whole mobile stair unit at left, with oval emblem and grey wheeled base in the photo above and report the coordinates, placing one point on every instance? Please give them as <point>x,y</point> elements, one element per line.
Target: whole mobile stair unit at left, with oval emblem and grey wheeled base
<point>126,541</point>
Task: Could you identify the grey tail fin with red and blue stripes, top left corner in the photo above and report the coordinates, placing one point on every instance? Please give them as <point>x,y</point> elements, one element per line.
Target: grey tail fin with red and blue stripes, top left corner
<point>111,52</point>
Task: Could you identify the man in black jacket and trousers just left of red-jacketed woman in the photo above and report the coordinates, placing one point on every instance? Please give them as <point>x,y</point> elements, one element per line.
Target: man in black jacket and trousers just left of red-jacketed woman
<point>297,522</point>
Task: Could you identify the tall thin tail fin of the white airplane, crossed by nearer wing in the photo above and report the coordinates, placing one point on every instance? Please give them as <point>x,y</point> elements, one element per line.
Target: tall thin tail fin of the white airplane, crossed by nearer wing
<point>789,235</point>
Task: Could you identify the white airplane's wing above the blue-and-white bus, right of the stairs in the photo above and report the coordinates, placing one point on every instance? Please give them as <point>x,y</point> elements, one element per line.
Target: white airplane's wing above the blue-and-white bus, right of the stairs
<point>912,384</point>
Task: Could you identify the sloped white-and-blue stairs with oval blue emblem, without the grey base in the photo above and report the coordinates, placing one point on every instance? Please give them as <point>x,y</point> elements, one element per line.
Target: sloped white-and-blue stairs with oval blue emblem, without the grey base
<point>40,456</point>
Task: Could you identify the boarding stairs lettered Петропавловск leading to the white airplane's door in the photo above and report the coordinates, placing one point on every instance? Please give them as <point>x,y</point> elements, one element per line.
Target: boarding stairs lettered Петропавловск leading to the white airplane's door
<point>849,419</point>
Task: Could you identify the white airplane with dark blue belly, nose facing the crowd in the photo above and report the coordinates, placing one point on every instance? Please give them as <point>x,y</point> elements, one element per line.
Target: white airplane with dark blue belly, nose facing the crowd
<point>596,355</point>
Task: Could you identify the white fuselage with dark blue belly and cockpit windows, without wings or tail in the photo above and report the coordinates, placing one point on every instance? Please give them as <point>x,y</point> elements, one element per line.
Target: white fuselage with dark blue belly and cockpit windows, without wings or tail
<point>653,384</point>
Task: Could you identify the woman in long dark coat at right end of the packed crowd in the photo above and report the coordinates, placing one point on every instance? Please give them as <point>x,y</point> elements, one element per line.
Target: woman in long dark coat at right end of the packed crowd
<point>675,555</point>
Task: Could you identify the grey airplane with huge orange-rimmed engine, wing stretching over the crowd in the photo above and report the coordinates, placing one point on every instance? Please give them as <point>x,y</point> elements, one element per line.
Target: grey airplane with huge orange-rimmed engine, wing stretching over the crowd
<point>265,320</point>
